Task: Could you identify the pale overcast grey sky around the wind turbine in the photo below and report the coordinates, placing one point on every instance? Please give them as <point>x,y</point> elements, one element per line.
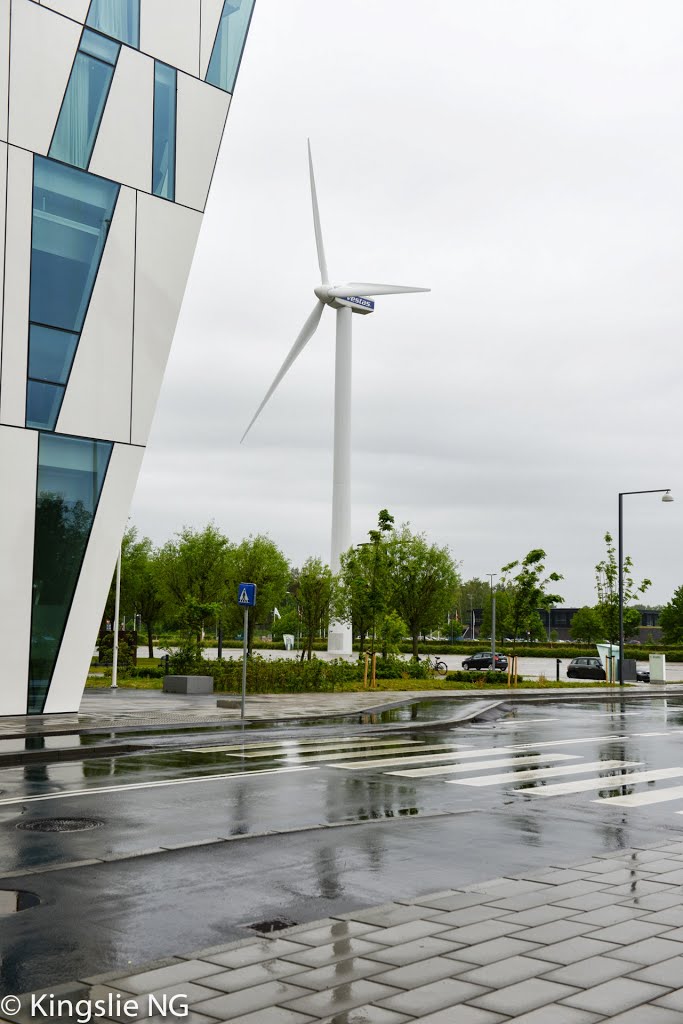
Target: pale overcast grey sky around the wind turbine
<point>522,158</point>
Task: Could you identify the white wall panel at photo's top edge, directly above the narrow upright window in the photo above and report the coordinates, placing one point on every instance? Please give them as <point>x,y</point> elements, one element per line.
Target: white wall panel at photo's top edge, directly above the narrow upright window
<point>170,32</point>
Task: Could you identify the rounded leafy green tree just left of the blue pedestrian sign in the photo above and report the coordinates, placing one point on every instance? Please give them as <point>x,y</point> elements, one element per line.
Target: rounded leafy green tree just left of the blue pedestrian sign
<point>194,574</point>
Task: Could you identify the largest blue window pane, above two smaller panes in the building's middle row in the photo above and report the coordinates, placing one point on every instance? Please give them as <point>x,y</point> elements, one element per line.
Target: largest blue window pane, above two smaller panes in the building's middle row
<point>72,211</point>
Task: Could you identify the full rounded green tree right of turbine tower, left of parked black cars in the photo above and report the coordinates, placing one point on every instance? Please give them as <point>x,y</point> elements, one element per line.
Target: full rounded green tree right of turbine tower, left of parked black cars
<point>423,581</point>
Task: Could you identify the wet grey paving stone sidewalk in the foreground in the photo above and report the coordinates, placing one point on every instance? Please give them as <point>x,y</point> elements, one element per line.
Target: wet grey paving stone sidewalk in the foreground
<point>595,943</point>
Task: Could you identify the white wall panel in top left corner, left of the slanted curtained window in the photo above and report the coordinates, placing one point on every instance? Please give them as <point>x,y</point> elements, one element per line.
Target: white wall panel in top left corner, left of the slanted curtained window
<point>44,48</point>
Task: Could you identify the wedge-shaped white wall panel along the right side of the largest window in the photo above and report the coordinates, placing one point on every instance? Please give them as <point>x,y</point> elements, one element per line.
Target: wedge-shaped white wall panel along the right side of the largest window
<point>98,400</point>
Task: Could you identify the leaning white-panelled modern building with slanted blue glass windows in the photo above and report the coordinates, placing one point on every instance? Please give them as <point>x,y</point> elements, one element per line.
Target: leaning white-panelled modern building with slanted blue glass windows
<point>112,114</point>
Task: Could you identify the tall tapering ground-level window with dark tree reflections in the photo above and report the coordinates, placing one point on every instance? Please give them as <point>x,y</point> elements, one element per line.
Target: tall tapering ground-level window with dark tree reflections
<point>71,474</point>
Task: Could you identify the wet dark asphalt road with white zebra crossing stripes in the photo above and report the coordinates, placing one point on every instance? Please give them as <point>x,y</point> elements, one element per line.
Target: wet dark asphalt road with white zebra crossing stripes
<point>370,835</point>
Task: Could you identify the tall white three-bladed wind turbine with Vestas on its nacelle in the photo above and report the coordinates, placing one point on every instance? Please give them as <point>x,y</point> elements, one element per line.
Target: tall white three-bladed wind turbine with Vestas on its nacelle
<point>348,300</point>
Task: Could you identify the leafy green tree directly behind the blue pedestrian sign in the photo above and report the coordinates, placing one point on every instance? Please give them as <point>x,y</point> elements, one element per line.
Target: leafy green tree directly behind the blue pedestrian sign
<point>258,561</point>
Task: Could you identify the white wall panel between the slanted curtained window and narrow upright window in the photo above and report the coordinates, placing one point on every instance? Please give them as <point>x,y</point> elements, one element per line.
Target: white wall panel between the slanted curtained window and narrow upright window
<point>123,150</point>
